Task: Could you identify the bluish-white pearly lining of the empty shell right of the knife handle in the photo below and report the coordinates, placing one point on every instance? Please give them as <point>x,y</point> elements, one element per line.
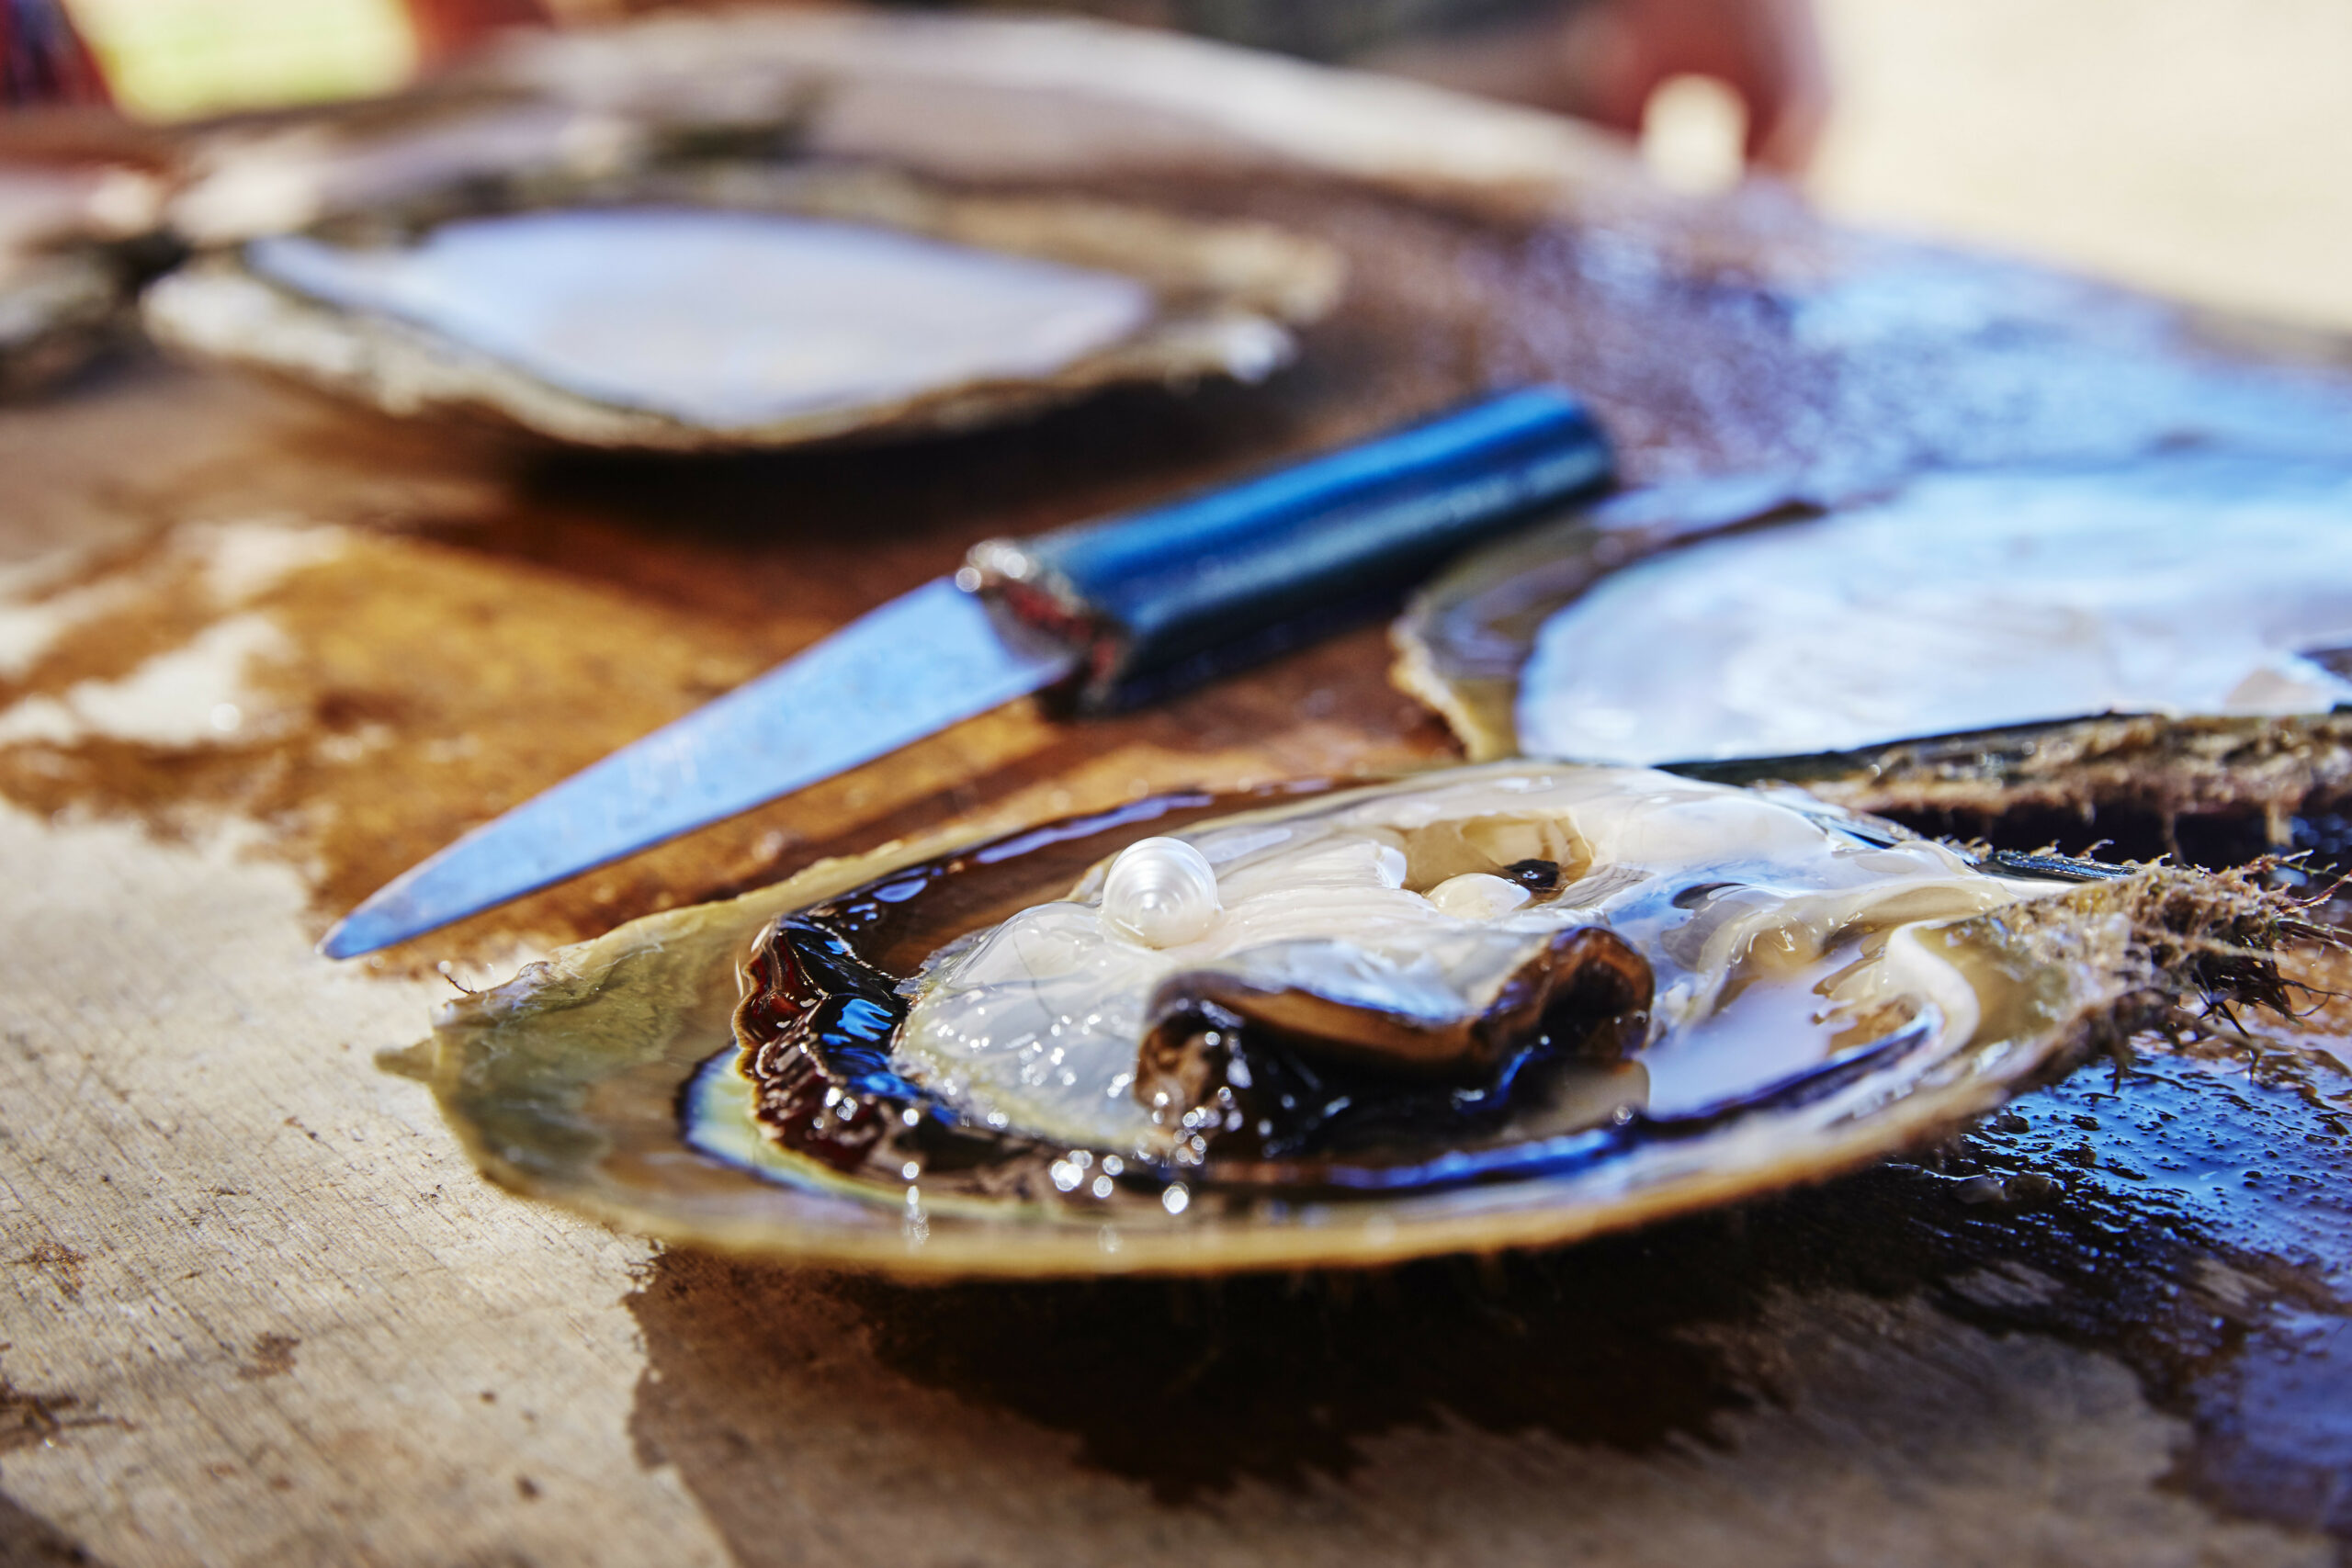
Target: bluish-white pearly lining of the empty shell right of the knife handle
<point>1970,601</point>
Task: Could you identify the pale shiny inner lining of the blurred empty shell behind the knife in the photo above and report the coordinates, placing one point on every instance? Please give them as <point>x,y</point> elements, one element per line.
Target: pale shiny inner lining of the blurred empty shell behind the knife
<point>723,319</point>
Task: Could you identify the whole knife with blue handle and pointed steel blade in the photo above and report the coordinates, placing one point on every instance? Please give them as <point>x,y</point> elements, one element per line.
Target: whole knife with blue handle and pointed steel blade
<point>1109,615</point>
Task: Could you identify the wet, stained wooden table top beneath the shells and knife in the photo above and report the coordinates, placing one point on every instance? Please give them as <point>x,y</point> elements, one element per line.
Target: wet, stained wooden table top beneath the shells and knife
<point>258,655</point>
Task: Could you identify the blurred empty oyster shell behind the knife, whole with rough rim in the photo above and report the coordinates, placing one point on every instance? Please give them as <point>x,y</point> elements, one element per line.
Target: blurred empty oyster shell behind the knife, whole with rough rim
<point>751,307</point>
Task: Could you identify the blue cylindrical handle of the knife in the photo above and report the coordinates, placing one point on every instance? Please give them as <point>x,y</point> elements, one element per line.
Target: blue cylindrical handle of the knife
<point>1172,596</point>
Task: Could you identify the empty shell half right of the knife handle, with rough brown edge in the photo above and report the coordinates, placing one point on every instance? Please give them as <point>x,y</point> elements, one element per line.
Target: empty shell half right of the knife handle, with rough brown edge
<point>2130,652</point>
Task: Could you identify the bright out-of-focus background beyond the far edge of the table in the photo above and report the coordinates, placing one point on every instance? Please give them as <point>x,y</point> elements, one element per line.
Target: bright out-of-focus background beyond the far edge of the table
<point>2191,147</point>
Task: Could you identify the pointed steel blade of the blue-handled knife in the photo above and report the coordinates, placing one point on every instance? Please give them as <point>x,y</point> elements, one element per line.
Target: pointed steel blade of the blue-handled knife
<point>900,674</point>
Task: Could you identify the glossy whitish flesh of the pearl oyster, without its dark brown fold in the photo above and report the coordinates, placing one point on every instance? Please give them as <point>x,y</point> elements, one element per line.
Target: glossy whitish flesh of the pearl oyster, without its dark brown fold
<point>1779,934</point>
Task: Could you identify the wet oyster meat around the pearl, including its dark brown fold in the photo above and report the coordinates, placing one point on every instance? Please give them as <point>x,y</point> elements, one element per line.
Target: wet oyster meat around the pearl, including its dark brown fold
<point>1443,932</point>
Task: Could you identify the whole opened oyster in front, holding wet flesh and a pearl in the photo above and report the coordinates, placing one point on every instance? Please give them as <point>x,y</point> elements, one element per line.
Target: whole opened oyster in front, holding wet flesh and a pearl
<point>1469,1010</point>
